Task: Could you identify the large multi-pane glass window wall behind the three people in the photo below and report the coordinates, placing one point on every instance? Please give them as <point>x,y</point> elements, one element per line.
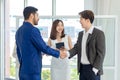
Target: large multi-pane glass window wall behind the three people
<point>72,27</point>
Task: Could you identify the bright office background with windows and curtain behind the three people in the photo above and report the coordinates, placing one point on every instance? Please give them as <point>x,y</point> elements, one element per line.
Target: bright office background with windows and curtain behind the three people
<point>107,18</point>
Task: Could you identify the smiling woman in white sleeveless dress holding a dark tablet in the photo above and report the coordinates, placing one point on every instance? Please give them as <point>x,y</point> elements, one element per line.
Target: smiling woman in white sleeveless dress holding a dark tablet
<point>60,68</point>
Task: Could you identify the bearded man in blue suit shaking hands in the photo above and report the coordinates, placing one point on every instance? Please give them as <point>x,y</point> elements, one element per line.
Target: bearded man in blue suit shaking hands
<point>30,45</point>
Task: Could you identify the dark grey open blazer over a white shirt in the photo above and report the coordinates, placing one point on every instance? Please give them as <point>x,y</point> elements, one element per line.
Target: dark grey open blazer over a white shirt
<point>95,49</point>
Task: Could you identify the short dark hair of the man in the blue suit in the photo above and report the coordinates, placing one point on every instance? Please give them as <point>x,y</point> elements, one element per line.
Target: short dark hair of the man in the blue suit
<point>28,10</point>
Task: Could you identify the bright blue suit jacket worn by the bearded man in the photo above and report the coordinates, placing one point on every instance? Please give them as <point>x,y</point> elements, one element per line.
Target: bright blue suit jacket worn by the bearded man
<point>29,47</point>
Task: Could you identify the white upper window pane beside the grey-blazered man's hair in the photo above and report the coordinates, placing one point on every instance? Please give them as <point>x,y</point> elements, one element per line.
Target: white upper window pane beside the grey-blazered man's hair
<point>69,7</point>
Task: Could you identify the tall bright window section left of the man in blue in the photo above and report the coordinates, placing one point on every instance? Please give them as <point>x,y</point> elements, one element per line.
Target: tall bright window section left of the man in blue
<point>15,10</point>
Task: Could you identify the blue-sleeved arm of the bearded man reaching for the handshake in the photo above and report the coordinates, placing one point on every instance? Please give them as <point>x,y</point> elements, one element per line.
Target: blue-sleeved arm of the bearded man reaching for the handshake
<point>41,45</point>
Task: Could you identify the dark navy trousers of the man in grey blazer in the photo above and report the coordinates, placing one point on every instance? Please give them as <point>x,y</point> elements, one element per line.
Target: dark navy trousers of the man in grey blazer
<point>86,73</point>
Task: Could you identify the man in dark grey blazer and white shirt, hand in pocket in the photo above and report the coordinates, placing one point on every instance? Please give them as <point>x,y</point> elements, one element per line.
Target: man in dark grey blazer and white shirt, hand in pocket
<point>90,48</point>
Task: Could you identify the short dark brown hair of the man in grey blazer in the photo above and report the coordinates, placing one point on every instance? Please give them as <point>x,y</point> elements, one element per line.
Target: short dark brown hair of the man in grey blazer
<point>87,14</point>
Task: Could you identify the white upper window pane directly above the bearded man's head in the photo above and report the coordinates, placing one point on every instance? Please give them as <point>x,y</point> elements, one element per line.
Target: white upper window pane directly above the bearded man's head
<point>44,6</point>
